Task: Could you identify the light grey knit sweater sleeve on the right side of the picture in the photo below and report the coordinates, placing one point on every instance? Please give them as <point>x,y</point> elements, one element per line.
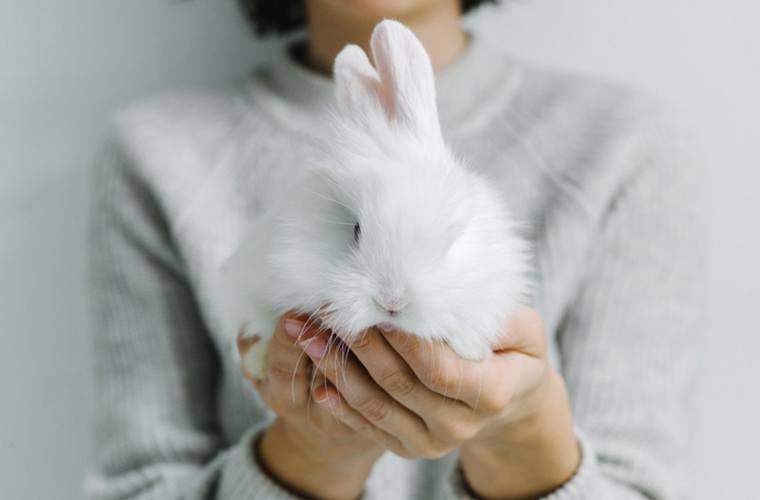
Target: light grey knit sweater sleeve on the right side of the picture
<point>628,344</point>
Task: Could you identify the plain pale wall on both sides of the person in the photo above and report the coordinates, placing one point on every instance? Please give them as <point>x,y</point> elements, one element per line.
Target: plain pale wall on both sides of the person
<point>65,66</point>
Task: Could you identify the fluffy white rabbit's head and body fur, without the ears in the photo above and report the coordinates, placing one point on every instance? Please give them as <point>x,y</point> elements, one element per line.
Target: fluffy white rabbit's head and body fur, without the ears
<point>410,239</point>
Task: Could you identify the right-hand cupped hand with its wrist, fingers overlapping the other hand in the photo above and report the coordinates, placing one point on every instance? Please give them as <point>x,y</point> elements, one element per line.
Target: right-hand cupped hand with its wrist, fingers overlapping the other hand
<point>509,414</point>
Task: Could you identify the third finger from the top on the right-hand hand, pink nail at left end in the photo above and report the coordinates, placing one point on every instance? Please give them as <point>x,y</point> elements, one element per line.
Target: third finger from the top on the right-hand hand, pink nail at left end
<point>362,394</point>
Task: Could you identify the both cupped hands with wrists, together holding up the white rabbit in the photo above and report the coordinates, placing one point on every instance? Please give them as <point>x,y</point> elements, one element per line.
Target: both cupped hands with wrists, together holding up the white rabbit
<point>345,403</point>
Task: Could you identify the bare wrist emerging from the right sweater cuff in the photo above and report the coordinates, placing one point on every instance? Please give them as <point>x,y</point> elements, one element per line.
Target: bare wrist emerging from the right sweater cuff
<point>531,455</point>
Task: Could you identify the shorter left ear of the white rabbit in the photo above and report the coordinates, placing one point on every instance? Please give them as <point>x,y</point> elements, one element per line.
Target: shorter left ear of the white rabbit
<point>358,87</point>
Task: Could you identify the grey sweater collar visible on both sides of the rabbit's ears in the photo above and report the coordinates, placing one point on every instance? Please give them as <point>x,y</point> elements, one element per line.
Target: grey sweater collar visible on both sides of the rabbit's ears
<point>469,90</point>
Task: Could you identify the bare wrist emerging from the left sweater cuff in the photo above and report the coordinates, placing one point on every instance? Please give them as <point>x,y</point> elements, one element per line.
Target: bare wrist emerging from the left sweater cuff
<point>292,460</point>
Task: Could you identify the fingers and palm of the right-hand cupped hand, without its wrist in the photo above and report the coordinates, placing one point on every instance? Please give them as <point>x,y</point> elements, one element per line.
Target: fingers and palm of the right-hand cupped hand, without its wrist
<point>422,397</point>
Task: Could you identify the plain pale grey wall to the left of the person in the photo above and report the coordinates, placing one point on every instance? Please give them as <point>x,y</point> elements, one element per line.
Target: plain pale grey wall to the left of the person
<point>66,68</point>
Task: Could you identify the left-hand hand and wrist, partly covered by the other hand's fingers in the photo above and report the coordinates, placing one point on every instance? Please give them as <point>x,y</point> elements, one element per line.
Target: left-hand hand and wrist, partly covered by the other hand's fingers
<point>307,449</point>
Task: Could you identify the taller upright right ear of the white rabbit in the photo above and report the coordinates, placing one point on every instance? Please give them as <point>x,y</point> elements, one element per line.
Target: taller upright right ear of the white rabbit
<point>407,77</point>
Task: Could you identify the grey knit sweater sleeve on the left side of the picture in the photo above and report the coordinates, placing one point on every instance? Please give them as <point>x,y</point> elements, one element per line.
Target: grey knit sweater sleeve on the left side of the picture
<point>156,430</point>
